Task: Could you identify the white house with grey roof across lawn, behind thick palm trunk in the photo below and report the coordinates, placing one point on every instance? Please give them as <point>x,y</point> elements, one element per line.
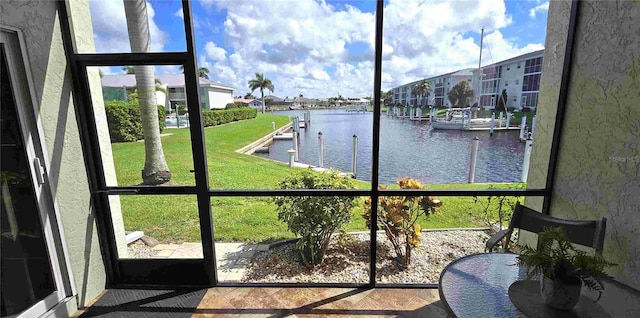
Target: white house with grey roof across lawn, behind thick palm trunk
<point>212,95</point>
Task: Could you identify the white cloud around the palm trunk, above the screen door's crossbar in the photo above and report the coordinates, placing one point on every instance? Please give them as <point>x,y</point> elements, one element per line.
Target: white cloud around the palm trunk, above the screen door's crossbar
<point>110,27</point>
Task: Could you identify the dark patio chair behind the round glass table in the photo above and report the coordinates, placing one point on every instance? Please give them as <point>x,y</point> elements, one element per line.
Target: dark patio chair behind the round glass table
<point>586,233</point>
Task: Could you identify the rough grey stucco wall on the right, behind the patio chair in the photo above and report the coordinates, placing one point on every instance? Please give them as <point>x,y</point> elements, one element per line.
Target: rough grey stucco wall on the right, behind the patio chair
<point>598,170</point>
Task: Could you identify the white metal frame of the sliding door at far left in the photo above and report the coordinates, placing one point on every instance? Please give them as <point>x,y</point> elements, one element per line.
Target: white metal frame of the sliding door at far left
<point>32,132</point>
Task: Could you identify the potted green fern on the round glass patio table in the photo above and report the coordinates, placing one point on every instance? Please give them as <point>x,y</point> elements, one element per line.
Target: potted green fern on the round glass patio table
<point>563,269</point>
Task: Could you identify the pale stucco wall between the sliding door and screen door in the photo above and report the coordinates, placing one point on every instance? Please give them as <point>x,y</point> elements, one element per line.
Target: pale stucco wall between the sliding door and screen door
<point>38,21</point>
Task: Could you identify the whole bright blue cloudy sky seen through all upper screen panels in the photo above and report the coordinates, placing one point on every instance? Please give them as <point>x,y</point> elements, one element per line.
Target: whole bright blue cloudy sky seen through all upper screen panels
<point>325,48</point>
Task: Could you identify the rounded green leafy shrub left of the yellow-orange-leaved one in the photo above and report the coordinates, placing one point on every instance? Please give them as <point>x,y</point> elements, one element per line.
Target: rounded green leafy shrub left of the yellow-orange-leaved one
<point>314,218</point>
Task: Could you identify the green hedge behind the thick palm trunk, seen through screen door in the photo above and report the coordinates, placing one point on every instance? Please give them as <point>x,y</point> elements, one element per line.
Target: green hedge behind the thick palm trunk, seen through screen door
<point>124,120</point>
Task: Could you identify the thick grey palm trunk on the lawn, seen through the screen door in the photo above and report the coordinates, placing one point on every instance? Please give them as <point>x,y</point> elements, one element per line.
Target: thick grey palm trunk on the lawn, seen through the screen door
<point>156,170</point>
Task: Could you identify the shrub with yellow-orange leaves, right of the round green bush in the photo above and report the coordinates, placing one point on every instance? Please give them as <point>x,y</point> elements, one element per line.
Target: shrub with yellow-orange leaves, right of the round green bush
<point>397,216</point>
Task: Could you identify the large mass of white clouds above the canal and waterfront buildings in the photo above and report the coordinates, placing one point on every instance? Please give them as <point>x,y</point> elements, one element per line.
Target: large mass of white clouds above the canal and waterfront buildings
<point>322,49</point>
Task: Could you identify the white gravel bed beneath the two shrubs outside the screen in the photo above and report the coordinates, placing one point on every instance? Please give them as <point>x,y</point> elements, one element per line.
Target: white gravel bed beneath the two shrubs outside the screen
<point>347,260</point>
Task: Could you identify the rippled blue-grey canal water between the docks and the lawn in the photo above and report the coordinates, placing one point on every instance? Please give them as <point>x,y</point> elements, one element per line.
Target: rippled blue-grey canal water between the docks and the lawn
<point>407,148</point>
